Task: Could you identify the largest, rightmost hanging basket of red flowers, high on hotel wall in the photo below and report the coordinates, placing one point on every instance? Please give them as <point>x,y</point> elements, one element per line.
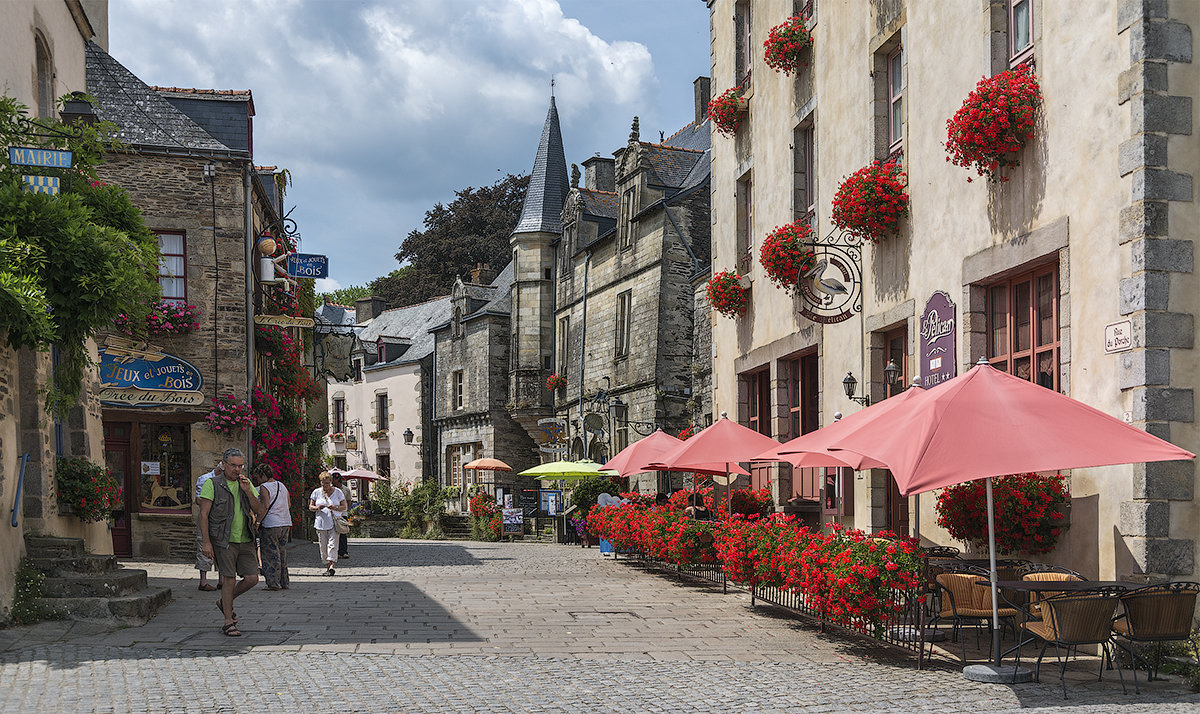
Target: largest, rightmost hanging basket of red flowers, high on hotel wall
<point>994,124</point>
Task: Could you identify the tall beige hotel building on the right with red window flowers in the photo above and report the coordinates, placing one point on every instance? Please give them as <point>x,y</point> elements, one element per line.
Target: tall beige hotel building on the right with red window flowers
<point>1095,231</point>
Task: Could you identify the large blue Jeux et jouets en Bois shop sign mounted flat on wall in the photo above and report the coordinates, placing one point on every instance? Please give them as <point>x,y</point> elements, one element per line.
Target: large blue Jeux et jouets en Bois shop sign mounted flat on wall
<point>148,380</point>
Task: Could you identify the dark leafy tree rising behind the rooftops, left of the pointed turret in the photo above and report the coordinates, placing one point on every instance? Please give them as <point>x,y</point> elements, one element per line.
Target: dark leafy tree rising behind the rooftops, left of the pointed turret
<point>473,229</point>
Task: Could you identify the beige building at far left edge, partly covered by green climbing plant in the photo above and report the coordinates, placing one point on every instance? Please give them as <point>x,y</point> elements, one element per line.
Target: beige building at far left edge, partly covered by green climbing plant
<point>43,47</point>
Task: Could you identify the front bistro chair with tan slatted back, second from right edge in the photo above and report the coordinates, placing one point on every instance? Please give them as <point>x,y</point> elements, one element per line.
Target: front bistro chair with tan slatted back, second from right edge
<point>1073,620</point>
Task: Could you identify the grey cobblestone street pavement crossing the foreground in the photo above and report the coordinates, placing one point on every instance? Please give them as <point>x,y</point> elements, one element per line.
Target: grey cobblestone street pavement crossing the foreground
<point>452,627</point>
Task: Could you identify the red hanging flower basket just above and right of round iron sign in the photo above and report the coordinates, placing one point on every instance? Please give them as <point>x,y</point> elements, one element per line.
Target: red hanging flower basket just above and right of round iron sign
<point>872,201</point>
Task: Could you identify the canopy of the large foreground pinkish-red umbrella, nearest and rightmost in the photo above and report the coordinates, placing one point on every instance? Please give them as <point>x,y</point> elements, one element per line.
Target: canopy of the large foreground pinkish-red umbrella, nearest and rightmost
<point>987,423</point>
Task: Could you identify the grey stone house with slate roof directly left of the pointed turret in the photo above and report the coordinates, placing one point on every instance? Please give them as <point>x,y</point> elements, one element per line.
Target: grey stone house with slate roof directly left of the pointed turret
<point>471,397</point>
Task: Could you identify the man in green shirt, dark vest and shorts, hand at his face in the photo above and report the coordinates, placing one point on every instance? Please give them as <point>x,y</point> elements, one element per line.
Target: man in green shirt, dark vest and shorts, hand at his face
<point>226,532</point>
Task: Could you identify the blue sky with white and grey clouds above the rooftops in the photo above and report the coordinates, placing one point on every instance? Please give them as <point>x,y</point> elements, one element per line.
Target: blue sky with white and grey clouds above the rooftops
<point>381,109</point>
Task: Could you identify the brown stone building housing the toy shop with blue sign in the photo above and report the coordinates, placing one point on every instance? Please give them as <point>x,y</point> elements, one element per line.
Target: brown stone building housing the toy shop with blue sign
<point>200,191</point>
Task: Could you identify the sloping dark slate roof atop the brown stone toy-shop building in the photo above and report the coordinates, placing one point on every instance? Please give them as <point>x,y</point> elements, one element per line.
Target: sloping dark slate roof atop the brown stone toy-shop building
<point>146,119</point>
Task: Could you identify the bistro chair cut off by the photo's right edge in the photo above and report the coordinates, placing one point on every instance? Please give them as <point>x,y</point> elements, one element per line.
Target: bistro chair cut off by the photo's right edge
<point>1155,614</point>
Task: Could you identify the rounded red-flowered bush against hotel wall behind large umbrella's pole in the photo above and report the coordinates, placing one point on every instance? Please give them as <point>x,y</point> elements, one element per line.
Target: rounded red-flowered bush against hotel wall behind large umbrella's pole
<point>1029,512</point>
